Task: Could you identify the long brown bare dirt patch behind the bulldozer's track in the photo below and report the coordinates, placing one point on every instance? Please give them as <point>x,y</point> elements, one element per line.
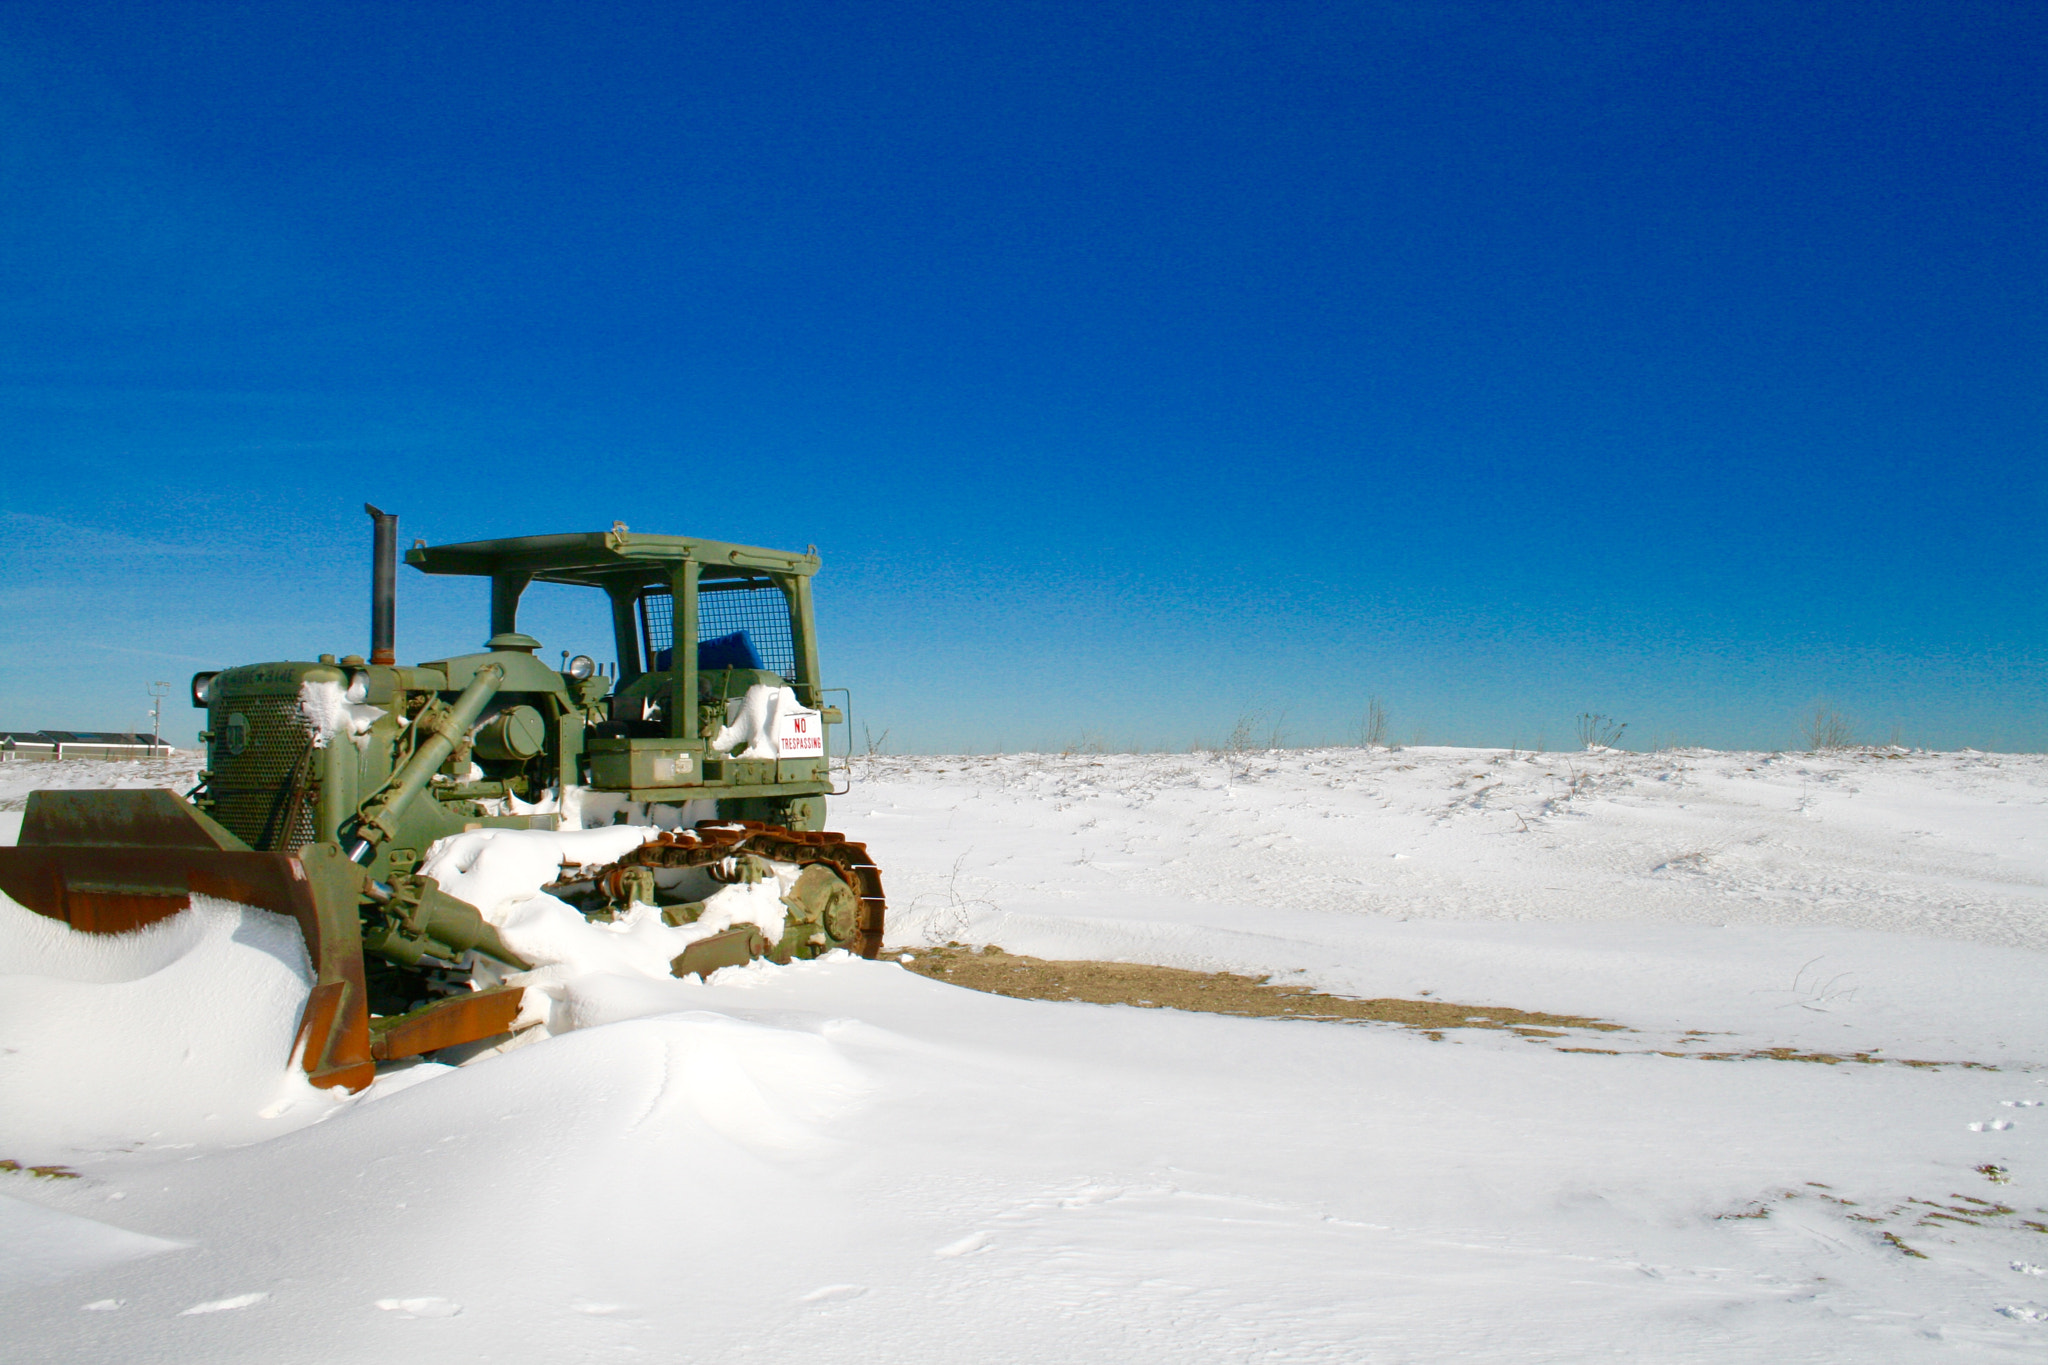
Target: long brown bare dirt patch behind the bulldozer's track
<point>1218,994</point>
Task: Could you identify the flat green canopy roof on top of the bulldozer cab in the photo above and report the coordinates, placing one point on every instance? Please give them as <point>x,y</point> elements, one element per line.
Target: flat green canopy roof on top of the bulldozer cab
<point>605,558</point>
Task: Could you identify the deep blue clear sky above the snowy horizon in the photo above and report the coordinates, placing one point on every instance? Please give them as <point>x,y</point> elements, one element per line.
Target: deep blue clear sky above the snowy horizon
<point>1134,367</point>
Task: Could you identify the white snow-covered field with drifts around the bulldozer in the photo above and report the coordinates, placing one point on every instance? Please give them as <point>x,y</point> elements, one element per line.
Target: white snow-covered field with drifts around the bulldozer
<point>847,1161</point>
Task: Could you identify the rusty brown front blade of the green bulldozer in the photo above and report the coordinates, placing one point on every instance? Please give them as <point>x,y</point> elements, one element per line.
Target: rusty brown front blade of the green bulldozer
<point>110,863</point>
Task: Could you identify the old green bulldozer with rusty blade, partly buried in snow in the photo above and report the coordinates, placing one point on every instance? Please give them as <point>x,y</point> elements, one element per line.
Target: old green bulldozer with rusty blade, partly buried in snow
<point>329,783</point>
